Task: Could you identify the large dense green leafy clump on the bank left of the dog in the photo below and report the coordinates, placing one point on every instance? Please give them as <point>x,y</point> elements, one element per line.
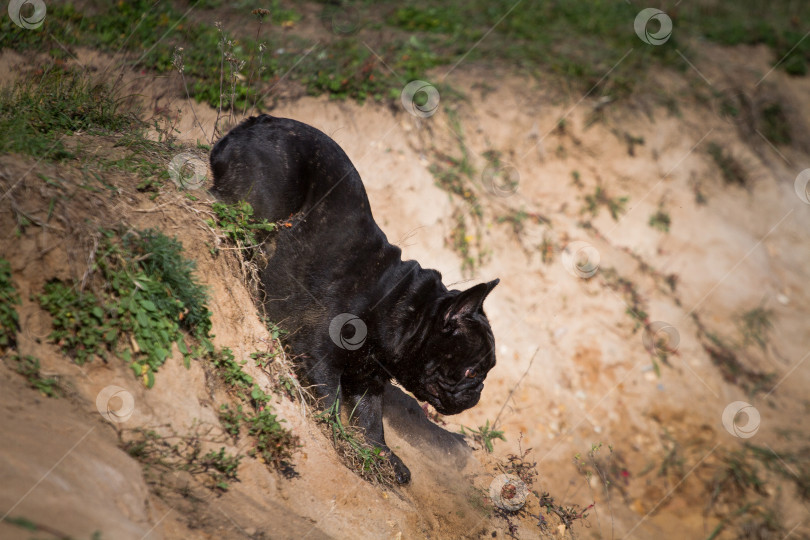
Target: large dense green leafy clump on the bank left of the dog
<point>145,288</point>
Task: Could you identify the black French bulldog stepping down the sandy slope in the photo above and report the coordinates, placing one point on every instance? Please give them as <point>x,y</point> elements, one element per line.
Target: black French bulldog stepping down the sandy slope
<point>357,313</point>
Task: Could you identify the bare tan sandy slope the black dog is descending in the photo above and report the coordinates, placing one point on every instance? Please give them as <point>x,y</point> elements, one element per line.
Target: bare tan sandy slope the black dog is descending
<point>591,379</point>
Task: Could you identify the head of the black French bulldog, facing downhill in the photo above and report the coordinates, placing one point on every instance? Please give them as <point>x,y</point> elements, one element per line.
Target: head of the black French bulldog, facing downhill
<point>457,352</point>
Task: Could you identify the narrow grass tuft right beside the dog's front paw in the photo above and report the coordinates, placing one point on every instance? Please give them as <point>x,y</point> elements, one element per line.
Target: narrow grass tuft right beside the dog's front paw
<point>360,456</point>
